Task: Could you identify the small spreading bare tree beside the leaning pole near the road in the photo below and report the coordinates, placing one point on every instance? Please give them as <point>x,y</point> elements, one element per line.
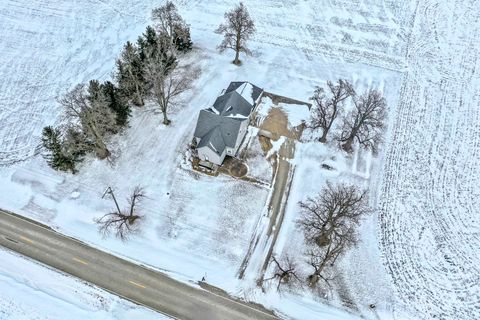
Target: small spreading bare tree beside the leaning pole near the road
<point>122,223</point>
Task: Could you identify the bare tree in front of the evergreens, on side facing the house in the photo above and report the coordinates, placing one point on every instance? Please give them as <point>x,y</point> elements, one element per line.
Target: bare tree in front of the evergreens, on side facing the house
<point>168,82</point>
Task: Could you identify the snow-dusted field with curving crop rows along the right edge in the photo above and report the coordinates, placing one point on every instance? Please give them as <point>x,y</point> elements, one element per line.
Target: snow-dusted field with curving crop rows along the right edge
<point>430,195</point>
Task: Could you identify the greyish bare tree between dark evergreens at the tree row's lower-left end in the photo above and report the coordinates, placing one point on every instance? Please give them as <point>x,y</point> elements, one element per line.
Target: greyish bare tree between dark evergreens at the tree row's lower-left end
<point>92,117</point>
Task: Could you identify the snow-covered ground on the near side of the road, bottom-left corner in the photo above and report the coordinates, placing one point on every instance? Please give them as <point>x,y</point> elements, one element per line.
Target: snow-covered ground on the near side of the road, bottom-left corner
<point>31,291</point>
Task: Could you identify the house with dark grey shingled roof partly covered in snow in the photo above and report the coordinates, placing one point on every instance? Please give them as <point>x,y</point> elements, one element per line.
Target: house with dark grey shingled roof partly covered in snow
<point>221,128</point>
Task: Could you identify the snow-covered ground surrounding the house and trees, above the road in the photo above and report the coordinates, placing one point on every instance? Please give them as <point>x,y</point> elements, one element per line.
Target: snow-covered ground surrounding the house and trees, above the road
<point>417,257</point>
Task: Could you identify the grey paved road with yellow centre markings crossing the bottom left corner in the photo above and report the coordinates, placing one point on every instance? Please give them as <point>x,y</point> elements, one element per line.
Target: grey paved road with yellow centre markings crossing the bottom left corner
<point>121,277</point>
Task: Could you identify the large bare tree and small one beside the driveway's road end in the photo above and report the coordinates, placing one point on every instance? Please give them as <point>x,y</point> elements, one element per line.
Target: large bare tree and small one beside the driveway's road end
<point>328,222</point>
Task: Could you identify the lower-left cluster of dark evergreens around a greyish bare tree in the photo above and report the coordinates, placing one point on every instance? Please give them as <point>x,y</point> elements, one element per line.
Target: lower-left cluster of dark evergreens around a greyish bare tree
<point>93,113</point>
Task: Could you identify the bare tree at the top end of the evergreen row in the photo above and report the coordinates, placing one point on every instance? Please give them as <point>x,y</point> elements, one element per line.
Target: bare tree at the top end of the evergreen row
<point>169,23</point>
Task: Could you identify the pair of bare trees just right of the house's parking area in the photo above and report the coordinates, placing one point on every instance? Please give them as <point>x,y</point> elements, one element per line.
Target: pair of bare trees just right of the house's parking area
<point>363,124</point>
